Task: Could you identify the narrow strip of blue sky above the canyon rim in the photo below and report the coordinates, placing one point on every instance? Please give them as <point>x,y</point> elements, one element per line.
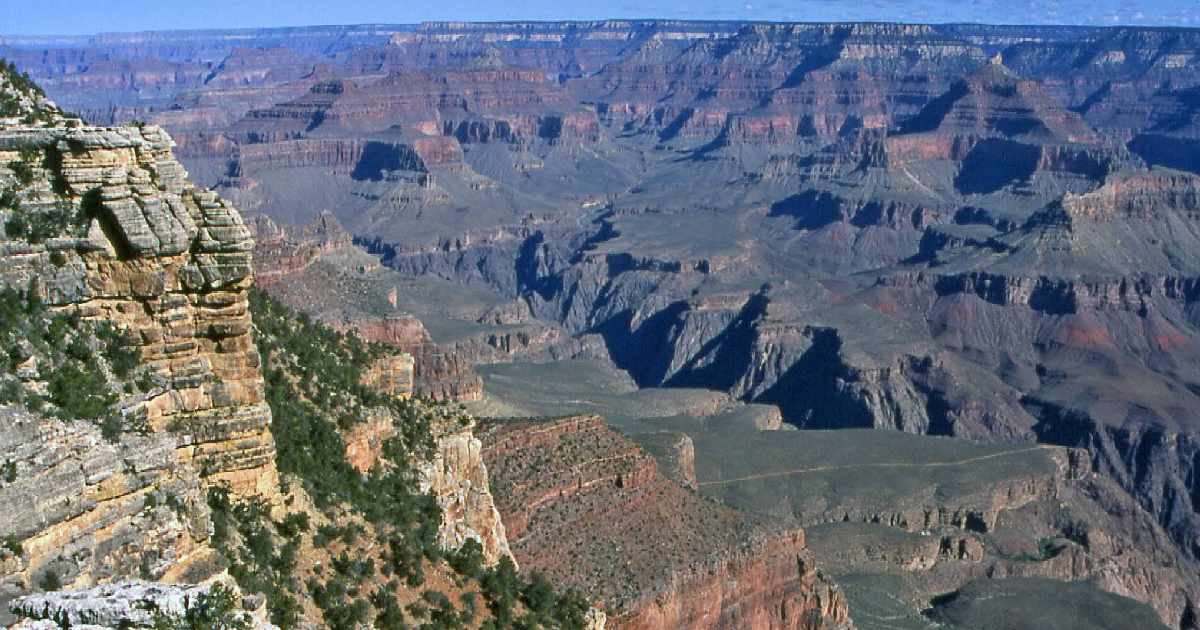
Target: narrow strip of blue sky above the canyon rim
<point>75,17</point>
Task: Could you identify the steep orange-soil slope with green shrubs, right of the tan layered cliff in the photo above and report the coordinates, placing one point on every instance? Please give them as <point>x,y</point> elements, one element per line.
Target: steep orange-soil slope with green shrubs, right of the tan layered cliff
<point>370,548</point>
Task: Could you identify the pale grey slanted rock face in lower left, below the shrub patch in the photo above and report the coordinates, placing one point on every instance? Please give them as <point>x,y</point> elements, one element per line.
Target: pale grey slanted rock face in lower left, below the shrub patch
<point>88,511</point>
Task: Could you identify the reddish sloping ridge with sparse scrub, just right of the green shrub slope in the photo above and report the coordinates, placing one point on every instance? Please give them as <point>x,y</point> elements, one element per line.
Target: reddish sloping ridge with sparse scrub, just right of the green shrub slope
<point>590,508</point>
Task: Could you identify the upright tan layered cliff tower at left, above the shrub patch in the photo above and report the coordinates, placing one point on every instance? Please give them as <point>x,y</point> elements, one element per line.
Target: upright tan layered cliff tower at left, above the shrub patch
<point>170,266</point>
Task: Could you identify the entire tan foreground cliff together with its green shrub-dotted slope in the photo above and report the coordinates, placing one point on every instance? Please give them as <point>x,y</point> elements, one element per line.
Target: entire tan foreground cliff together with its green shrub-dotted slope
<point>175,442</point>
